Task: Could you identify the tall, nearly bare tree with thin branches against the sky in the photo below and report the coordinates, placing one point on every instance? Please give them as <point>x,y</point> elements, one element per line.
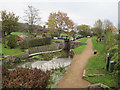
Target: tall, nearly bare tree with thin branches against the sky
<point>32,17</point>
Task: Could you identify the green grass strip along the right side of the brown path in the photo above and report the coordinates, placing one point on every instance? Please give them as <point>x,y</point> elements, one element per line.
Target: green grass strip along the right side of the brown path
<point>97,65</point>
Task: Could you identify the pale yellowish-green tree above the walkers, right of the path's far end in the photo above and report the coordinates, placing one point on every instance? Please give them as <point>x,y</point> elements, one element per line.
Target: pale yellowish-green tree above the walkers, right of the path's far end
<point>99,27</point>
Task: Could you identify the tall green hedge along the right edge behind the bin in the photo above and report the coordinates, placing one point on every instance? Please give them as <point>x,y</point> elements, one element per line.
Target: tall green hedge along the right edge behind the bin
<point>114,54</point>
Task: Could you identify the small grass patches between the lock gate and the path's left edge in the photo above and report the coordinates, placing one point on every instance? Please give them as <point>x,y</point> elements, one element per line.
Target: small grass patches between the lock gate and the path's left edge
<point>80,49</point>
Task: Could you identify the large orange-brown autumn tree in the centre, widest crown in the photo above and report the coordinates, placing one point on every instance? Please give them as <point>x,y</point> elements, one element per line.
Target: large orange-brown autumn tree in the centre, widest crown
<point>59,21</point>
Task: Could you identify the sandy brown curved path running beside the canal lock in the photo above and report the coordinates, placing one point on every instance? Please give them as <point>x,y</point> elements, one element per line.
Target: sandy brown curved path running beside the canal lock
<point>73,76</point>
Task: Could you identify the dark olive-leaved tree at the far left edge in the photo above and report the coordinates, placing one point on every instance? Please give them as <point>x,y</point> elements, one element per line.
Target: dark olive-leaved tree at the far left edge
<point>9,22</point>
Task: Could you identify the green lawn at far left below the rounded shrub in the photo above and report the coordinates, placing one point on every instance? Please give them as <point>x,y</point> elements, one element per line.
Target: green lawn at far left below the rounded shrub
<point>11,52</point>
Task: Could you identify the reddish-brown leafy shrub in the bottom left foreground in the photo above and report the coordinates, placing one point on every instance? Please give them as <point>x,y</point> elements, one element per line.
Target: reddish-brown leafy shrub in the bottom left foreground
<point>24,78</point>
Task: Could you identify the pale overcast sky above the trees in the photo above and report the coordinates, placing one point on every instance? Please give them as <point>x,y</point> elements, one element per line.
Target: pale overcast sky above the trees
<point>80,11</point>
